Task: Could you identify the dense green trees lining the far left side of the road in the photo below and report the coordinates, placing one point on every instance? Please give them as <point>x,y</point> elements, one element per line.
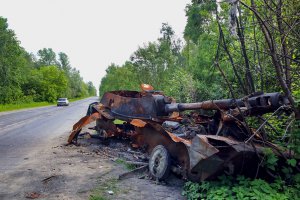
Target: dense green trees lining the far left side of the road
<point>44,77</point>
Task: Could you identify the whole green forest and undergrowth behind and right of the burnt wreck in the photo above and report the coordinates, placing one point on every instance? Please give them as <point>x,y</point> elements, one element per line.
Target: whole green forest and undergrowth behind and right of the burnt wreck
<point>230,49</point>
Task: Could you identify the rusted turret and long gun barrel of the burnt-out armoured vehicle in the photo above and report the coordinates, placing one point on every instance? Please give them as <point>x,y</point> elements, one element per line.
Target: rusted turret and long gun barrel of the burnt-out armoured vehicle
<point>134,105</point>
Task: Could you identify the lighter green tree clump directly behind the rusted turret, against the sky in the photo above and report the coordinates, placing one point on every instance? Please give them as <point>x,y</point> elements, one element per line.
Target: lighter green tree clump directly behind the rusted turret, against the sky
<point>159,64</point>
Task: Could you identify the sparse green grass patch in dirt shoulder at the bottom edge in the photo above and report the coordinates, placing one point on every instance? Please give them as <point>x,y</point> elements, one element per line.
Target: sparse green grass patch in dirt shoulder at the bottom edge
<point>101,192</point>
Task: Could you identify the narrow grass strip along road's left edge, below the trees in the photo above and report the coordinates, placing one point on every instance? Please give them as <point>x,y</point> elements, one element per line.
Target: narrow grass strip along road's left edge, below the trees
<point>18,106</point>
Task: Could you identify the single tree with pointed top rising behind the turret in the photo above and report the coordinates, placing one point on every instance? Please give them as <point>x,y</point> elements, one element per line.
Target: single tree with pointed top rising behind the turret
<point>155,61</point>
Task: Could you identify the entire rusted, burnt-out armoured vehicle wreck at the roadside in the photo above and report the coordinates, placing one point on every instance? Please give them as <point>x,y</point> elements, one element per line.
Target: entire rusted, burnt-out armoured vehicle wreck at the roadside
<point>191,144</point>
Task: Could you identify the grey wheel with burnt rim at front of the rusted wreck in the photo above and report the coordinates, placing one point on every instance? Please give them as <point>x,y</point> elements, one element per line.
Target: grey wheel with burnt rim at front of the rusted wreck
<point>160,162</point>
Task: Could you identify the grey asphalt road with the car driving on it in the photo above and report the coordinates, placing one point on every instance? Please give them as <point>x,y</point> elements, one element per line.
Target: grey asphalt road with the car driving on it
<point>23,131</point>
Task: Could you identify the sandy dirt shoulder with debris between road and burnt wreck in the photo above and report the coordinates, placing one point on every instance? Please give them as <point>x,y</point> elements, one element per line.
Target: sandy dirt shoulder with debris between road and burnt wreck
<point>87,171</point>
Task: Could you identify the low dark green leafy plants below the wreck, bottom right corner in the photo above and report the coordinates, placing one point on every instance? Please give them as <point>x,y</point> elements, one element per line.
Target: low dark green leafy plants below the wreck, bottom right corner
<point>242,188</point>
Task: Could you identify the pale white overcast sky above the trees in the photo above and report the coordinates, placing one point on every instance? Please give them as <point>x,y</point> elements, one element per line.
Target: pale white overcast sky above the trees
<point>93,33</point>
